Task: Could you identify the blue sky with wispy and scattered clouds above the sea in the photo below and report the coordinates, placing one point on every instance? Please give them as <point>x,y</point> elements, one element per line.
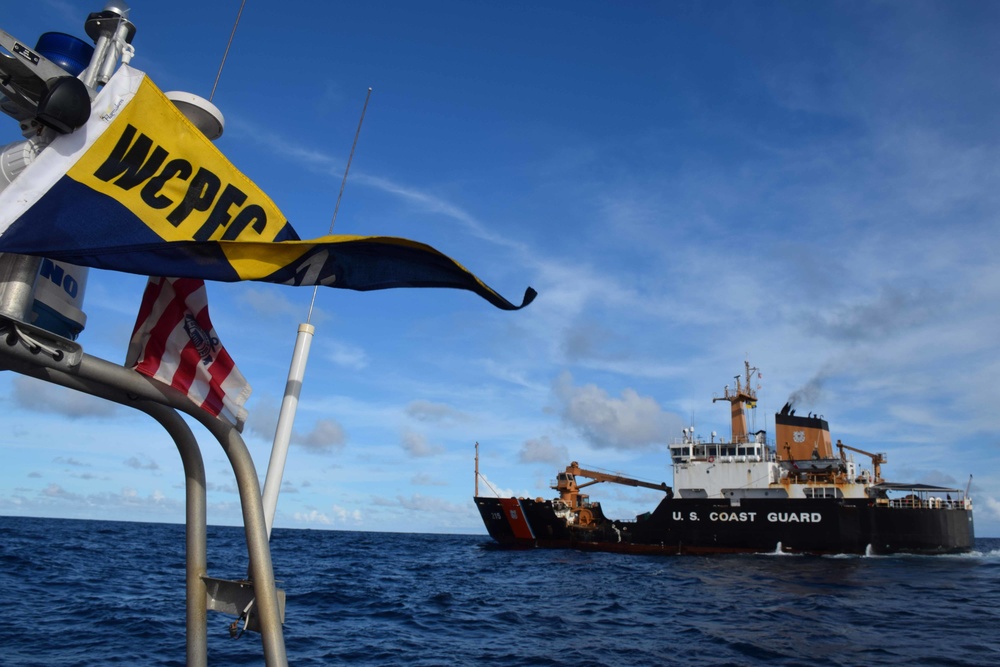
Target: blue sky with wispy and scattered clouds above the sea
<point>812,186</point>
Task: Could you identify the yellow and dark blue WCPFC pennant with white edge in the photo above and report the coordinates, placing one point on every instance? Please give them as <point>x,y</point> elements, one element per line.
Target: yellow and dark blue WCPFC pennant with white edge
<point>140,189</point>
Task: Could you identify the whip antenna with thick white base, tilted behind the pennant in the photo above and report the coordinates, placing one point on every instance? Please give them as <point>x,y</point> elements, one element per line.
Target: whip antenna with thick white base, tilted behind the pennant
<point>296,374</point>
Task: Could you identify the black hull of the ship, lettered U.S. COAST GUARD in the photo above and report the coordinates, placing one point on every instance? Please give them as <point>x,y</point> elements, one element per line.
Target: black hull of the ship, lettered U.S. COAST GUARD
<point>678,526</point>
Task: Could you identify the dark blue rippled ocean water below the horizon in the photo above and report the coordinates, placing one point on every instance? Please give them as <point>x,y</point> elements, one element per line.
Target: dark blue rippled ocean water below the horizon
<point>102,593</point>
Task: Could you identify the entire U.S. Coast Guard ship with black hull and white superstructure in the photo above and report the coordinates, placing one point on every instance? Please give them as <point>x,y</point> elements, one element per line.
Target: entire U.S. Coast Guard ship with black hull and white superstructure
<point>795,494</point>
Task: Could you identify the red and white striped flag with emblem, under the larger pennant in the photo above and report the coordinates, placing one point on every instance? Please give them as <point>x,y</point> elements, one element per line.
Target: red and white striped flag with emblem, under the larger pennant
<point>174,342</point>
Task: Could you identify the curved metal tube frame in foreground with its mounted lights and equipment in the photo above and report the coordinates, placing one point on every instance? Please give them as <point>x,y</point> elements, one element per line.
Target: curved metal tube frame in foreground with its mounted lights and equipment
<point>47,89</point>
